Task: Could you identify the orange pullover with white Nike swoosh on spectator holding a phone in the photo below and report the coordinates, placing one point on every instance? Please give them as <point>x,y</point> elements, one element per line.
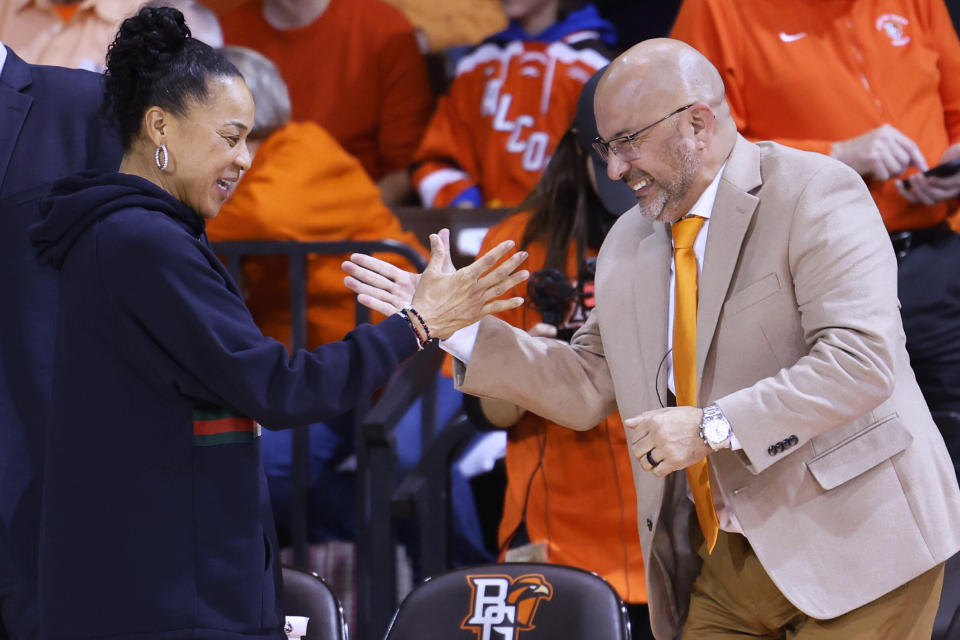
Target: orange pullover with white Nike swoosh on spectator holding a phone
<point>808,73</point>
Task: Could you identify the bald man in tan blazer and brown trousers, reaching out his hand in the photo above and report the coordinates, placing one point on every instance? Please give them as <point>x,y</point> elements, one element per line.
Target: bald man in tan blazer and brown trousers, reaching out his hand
<point>836,498</point>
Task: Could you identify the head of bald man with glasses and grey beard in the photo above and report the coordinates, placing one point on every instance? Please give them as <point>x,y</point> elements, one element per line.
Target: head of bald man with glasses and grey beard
<point>662,104</point>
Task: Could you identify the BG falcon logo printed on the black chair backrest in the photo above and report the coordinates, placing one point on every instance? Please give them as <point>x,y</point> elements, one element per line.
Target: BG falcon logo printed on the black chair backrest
<point>503,606</point>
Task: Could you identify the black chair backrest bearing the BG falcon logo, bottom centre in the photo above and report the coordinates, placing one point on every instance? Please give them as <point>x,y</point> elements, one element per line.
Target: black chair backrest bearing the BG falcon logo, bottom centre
<point>519,601</point>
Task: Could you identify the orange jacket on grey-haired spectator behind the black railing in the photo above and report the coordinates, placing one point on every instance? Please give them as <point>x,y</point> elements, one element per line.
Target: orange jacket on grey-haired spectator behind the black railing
<point>303,186</point>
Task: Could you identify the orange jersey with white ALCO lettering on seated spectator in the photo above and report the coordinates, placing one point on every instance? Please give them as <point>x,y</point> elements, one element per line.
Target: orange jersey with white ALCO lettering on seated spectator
<point>507,108</point>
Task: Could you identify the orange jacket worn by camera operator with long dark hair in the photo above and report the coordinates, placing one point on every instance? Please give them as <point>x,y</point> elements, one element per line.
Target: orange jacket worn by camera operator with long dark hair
<point>582,501</point>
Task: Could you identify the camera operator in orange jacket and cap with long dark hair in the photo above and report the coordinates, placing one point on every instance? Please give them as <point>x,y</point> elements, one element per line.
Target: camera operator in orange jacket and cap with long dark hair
<point>553,472</point>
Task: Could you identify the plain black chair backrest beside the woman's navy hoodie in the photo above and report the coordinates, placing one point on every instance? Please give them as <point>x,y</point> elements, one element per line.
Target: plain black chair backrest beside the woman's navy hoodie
<point>306,594</point>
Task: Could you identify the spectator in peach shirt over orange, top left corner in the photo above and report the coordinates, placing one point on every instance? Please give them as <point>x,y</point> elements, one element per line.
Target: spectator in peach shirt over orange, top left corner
<point>65,33</point>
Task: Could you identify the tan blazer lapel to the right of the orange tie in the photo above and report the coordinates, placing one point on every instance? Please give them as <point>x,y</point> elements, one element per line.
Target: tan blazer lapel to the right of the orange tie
<point>732,212</point>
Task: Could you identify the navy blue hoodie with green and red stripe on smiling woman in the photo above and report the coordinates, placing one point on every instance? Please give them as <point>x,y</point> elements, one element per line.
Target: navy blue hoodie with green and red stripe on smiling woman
<point>156,521</point>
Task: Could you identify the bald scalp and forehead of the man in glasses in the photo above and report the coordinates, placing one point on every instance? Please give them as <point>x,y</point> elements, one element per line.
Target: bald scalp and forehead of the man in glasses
<point>657,76</point>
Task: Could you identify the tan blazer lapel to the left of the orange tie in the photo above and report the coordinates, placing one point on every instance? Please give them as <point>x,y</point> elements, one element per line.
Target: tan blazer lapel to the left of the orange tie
<point>651,278</point>
